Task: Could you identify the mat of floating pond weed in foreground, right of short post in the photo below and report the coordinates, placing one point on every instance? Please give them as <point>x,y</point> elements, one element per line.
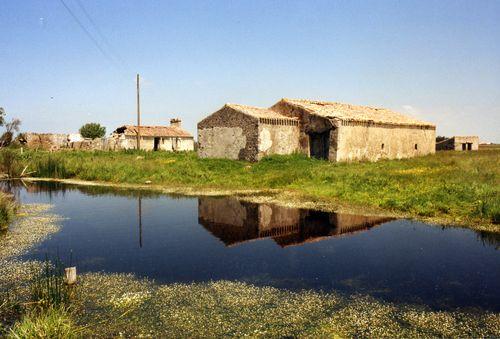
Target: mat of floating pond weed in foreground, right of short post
<point>119,304</point>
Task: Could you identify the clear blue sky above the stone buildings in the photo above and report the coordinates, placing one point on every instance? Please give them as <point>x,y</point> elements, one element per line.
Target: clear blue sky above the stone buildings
<point>434,60</point>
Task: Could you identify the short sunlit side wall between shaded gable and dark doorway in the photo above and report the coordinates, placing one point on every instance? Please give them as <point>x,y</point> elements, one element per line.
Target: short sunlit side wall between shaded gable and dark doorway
<point>278,139</point>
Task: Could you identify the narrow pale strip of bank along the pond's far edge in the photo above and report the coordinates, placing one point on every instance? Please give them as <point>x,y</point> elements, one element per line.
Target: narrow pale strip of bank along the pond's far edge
<point>285,198</point>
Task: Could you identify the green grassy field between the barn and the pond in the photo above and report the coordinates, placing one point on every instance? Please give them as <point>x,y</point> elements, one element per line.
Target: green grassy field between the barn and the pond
<point>449,187</point>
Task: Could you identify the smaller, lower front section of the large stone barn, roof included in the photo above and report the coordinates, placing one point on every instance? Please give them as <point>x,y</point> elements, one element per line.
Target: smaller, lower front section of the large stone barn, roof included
<point>249,133</point>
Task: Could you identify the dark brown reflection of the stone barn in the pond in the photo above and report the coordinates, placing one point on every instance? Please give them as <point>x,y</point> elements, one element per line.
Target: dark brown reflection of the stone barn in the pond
<point>234,221</point>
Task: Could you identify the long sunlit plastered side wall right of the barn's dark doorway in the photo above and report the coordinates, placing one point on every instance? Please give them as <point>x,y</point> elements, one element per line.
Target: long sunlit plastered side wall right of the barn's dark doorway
<point>360,141</point>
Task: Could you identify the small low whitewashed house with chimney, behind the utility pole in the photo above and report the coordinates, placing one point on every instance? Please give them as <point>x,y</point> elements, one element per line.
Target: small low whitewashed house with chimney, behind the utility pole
<point>153,138</point>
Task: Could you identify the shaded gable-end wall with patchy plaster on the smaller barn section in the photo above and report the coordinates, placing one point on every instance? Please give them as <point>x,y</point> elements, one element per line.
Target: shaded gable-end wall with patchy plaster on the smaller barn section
<point>228,134</point>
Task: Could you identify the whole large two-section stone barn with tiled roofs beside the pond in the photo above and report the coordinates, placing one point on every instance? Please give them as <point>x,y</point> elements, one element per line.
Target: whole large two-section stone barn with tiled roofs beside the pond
<point>324,130</point>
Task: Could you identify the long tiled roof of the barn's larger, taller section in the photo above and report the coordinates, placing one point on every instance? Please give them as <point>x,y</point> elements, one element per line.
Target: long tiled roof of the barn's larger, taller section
<point>350,112</point>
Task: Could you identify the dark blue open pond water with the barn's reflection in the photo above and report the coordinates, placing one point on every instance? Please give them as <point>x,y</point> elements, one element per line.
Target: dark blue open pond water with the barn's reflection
<point>198,239</point>
